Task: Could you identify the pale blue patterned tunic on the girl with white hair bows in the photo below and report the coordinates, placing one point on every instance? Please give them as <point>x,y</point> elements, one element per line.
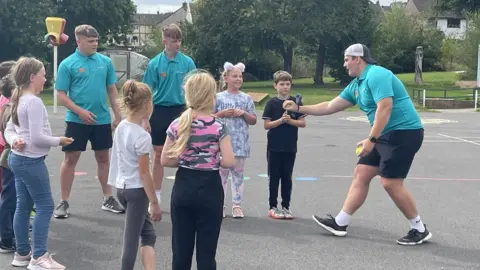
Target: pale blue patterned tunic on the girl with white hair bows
<point>237,126</point>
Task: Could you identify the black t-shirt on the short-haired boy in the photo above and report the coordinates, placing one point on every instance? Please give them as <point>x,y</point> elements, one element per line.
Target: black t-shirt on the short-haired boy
<point>284,137</point>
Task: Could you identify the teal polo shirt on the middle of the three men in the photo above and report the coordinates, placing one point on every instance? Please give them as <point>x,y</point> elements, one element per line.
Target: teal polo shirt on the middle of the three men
<point>165,77</point>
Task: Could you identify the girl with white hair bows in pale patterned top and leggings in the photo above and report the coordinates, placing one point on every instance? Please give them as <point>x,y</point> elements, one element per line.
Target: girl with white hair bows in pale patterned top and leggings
<point>237,110</point>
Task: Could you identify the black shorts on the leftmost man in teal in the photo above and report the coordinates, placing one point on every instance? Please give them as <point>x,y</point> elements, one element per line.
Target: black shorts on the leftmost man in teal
<point>100,136</point>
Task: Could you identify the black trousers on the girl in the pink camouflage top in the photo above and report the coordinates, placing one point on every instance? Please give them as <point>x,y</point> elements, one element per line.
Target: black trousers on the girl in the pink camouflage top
<point>196,212</point>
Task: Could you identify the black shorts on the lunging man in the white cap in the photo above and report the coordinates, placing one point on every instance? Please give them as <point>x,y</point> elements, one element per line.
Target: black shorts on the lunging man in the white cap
<point>394,152</point>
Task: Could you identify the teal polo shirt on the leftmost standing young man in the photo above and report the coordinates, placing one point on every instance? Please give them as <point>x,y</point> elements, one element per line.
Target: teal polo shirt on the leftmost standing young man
<point>85,80</point>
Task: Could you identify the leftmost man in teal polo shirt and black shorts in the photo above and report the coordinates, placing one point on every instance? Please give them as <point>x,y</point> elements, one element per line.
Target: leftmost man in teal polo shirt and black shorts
<point>84,81</point>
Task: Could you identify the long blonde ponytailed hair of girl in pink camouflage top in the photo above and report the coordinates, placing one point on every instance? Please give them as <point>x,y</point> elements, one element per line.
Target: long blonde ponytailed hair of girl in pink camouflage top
<point>200,90</point>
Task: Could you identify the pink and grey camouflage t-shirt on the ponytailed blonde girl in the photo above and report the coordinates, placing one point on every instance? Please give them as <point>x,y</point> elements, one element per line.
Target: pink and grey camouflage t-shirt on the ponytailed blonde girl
<point>203,149</point>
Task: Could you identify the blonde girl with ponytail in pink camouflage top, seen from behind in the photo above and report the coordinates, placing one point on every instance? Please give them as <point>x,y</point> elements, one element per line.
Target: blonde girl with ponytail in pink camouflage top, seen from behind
<point>195,141</point>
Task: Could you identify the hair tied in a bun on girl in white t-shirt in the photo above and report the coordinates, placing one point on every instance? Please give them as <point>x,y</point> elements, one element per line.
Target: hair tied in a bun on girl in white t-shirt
<point>135,96</point>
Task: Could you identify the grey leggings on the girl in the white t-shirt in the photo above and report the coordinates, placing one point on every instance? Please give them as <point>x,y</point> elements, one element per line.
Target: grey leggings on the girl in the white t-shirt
<point>137,224</point>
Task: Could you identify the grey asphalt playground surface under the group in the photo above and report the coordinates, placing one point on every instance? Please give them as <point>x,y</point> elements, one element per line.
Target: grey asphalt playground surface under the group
<point>444,180</point>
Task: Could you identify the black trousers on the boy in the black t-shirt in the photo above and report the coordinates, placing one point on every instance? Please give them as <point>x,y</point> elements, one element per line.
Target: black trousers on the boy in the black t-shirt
<point>280,169</point>
